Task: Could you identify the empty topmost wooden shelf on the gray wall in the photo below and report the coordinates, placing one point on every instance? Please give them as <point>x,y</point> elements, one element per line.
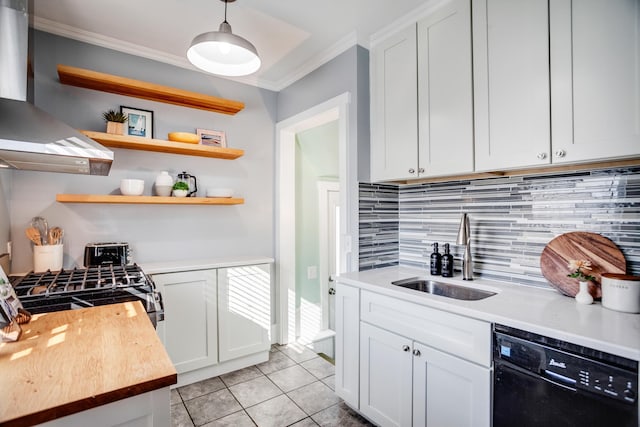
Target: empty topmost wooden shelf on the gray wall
<point>136,88</point>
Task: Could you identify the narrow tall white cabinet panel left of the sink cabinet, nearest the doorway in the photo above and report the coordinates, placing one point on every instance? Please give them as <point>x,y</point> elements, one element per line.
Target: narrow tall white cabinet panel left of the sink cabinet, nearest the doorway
<point>347,380</point>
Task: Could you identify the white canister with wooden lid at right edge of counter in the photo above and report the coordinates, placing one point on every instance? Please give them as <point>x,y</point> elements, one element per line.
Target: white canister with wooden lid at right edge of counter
<point>621,292</point>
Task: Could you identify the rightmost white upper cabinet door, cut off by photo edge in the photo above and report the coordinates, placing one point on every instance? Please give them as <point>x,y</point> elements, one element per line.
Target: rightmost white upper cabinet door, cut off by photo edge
<point>595,64</point>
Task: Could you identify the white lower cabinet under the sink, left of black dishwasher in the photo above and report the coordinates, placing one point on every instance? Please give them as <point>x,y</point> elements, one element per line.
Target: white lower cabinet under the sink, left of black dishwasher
<point>418,366</point>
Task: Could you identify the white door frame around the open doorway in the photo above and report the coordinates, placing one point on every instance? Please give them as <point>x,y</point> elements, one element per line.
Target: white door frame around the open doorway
<point>336,108</point>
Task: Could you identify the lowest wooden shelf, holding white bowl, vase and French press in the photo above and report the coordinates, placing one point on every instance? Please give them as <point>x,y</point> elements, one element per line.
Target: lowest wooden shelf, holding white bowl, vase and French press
<point>146,200</point>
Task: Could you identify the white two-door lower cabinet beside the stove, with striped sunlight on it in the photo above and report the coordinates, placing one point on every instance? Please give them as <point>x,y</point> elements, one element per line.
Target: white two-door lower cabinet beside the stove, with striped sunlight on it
<point>216,320</point>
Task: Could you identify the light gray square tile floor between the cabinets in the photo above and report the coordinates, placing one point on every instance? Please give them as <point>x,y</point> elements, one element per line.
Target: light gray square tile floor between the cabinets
<point>294,388</point>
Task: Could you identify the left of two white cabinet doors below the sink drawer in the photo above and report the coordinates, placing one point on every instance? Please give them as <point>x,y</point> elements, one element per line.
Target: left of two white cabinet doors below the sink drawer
<point>385,376</point>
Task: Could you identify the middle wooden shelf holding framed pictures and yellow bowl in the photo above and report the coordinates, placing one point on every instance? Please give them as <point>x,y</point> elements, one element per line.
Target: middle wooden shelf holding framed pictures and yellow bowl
<point>162,146</point>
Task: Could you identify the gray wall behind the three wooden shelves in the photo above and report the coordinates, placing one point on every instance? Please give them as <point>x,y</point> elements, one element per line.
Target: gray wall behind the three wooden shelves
<point>156,232</point>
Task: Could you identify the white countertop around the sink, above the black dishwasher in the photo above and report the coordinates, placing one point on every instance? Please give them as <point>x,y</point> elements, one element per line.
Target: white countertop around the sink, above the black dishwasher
<point>545,312</point>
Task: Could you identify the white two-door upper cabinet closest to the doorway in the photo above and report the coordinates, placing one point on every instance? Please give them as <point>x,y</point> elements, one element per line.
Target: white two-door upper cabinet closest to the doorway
<point>421,92</point>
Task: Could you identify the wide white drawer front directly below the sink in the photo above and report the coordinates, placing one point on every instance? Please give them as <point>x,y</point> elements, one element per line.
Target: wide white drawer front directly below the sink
<point>458,335</point>
